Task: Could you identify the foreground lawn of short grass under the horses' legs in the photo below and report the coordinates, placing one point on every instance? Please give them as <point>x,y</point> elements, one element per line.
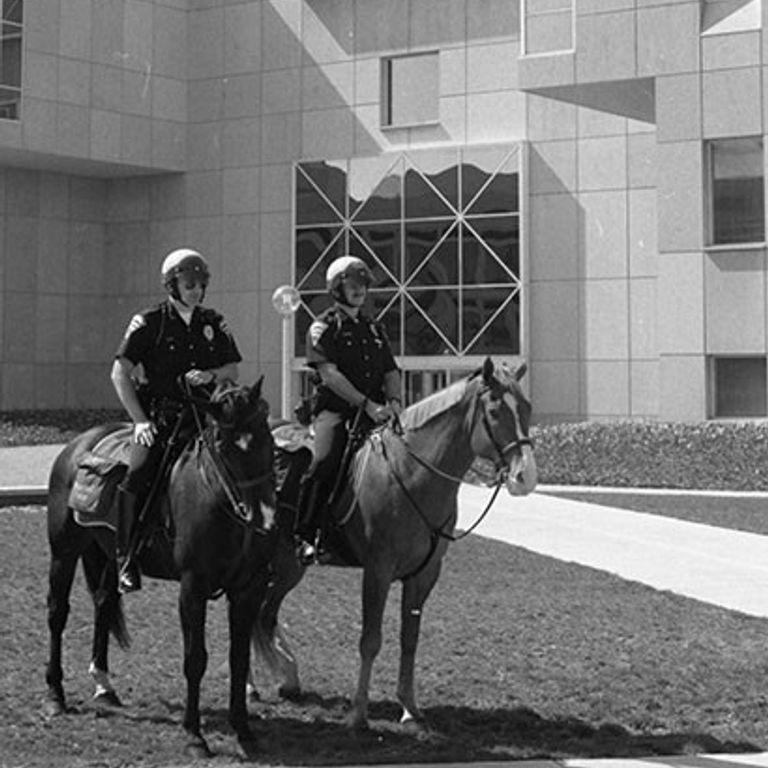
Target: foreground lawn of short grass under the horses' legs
<point>521,657</point>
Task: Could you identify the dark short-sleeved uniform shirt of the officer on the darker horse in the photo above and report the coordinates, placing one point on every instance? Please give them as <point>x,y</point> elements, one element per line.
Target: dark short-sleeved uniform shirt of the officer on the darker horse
<point>167,347</point>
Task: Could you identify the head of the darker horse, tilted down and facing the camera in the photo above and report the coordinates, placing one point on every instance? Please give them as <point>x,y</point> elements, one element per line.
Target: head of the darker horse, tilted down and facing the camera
<point>240,435</point>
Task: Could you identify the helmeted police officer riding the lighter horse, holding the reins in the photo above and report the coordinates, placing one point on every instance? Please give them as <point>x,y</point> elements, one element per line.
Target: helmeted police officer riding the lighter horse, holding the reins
<point>355,369</point>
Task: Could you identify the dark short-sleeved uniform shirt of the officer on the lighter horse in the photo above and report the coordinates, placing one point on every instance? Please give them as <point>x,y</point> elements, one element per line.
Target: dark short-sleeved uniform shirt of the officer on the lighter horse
<point>360,350</point>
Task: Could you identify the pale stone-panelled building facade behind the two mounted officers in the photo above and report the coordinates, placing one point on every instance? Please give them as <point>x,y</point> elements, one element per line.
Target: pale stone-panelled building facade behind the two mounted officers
<point>578,183</point>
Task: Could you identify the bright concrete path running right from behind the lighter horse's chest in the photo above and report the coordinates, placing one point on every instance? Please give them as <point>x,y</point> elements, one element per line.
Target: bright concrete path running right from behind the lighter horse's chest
<point>716,565</point>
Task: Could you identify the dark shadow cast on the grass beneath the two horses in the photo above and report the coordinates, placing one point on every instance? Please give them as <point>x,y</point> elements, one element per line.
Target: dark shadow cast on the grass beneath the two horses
<point>313,732</point>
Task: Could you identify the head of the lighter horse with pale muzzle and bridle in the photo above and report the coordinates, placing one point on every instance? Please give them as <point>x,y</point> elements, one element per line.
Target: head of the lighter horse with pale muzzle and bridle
<point>500,425</point>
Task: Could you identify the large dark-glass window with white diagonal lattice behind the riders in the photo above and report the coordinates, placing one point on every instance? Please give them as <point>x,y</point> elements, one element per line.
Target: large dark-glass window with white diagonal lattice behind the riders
<point>440,230</point>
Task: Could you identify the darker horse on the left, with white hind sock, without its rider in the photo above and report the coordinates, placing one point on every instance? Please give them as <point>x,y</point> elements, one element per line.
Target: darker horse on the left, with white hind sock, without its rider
<point>220,506</point>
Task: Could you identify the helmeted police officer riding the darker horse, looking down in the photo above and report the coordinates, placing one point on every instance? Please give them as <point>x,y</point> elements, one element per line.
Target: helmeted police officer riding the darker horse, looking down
<point>179,338</point>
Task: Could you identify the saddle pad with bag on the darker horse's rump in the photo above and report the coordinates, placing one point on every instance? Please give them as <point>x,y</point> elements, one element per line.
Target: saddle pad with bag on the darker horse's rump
<point>98,474</point>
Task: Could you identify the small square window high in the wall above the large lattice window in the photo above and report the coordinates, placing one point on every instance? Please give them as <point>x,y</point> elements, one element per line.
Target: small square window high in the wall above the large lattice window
<point>410,90</point>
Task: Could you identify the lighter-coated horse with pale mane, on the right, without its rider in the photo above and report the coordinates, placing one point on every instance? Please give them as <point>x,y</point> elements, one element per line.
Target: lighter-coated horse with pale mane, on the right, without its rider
<point>398,514</point>
